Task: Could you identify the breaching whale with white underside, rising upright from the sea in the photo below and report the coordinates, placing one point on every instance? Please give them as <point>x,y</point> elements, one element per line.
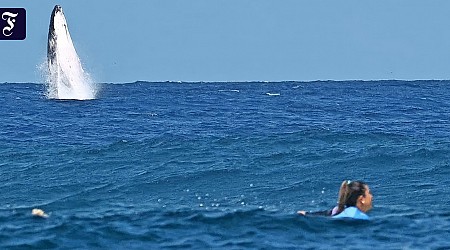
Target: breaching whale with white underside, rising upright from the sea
<point>66,78</point>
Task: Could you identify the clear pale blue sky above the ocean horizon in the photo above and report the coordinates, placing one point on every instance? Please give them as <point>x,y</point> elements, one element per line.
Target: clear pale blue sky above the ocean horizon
<point>240,40</point>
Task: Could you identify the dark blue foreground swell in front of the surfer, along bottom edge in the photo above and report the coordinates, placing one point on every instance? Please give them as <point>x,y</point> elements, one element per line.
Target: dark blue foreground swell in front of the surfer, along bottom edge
<point>221,228</point>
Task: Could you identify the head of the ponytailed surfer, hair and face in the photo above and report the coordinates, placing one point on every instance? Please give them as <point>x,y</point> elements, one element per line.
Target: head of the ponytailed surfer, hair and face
<point>354,194</point>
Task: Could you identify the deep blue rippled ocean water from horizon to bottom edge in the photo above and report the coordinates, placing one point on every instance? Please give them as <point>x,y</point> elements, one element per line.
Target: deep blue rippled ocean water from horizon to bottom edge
<point>225,165</point>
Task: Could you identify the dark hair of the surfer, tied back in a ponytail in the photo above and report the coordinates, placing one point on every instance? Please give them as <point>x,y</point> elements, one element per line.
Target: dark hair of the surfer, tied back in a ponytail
<point>349,194</point>
